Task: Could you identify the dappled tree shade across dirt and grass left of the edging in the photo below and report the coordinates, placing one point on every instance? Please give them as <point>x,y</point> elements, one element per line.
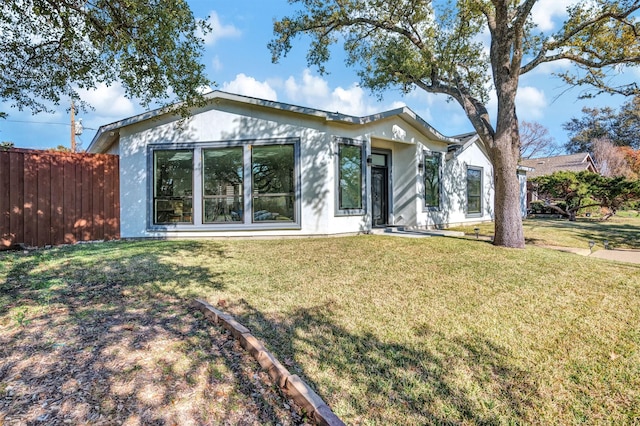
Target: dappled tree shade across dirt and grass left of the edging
<point>103,333</point>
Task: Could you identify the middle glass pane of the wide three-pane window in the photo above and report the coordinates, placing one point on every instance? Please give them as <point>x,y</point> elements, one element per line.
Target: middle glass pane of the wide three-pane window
<point>222,185</point>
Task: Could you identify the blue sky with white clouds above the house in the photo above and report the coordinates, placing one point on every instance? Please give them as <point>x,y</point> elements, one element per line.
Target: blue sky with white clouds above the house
<point>238,60</point>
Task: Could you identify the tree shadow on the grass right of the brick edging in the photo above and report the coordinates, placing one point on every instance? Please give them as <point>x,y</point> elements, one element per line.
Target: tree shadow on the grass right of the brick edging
<point>432,380</point>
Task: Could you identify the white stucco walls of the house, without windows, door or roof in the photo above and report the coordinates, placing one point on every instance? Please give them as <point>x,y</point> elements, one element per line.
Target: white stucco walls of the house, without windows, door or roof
<point>230,122</point>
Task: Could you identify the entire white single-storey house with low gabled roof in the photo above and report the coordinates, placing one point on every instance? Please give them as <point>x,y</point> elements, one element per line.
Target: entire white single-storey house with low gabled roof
<point>243,166</point>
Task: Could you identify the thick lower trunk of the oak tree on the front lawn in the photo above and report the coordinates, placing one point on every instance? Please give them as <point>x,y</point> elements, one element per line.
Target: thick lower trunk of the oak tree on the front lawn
<point>507,216</point>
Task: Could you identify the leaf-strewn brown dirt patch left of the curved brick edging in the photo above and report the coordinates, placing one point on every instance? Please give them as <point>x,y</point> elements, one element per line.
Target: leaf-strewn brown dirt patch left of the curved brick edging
<point>100,354</point>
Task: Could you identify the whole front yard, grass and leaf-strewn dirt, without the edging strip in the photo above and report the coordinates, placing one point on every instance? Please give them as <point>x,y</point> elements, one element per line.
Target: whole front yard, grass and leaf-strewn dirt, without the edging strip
<point>387,330</point>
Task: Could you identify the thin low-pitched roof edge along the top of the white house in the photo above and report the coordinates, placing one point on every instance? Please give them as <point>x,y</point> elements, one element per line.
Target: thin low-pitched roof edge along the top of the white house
<point>108,133</point>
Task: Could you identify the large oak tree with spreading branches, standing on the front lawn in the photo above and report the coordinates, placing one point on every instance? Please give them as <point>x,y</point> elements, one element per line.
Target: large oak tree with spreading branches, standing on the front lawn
<point>437,47</point>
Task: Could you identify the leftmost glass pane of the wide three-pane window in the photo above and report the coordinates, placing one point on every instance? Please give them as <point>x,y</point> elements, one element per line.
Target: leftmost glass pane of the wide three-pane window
<point>173,186</point>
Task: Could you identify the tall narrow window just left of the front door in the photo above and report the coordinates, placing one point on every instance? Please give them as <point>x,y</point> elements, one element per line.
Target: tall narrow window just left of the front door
<point>350,178</point>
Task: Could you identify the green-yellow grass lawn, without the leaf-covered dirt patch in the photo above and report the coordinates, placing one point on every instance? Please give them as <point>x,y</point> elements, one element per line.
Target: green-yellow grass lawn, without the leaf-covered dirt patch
<point>389,330</point>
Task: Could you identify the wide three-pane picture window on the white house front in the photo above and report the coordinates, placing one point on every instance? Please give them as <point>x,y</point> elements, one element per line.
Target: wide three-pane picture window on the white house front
<point>235,185</point>
